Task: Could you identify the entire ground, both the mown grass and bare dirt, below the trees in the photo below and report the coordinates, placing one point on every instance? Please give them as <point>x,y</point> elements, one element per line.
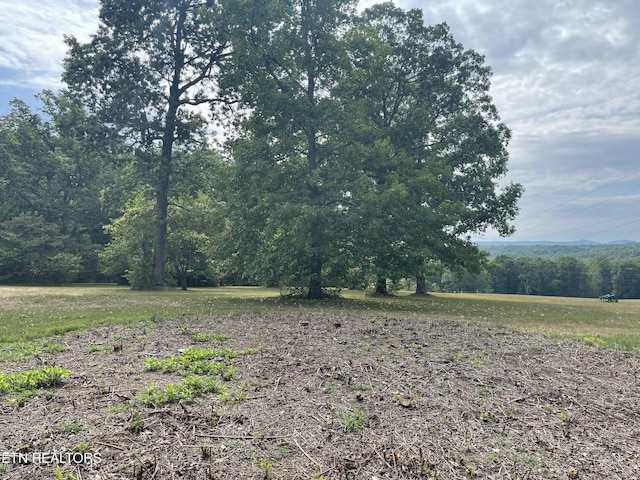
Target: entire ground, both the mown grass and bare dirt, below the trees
<point>231,383</point>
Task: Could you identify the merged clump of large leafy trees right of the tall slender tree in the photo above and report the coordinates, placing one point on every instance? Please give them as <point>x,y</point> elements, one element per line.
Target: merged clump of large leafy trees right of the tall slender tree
<point>373,148</point>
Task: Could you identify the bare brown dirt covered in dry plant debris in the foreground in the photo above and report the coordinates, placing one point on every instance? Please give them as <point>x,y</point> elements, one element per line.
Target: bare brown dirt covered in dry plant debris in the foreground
<point>333,397</point>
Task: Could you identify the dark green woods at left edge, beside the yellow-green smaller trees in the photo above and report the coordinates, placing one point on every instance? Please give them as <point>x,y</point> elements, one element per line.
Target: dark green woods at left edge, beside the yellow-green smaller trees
<point>49,180</point>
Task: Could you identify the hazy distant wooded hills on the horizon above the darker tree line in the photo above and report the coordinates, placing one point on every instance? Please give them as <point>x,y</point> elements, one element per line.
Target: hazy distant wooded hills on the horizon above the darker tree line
<point>584,250</point>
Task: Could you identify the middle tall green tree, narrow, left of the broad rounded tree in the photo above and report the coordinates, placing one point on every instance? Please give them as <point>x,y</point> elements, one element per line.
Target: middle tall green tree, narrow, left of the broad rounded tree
<point>292,174</point>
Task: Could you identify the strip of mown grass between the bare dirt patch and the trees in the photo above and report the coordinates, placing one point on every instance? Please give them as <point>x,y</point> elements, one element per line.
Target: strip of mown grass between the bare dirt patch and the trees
<point>32,313</point>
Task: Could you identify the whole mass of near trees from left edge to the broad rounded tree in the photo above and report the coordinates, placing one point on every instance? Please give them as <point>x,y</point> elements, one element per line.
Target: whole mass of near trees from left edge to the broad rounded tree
<point>280,142</point>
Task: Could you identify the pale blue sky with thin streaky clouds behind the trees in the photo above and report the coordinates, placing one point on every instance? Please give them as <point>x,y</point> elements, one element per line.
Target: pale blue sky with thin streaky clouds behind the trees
<point>566,81</point>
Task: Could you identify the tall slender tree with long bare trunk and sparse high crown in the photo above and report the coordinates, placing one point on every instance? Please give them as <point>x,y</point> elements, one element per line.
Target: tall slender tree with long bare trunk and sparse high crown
<point>144,73</point>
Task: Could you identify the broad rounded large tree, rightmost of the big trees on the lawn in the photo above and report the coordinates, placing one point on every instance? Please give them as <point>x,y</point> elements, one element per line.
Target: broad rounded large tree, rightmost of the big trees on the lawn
<point>431,143</point>
